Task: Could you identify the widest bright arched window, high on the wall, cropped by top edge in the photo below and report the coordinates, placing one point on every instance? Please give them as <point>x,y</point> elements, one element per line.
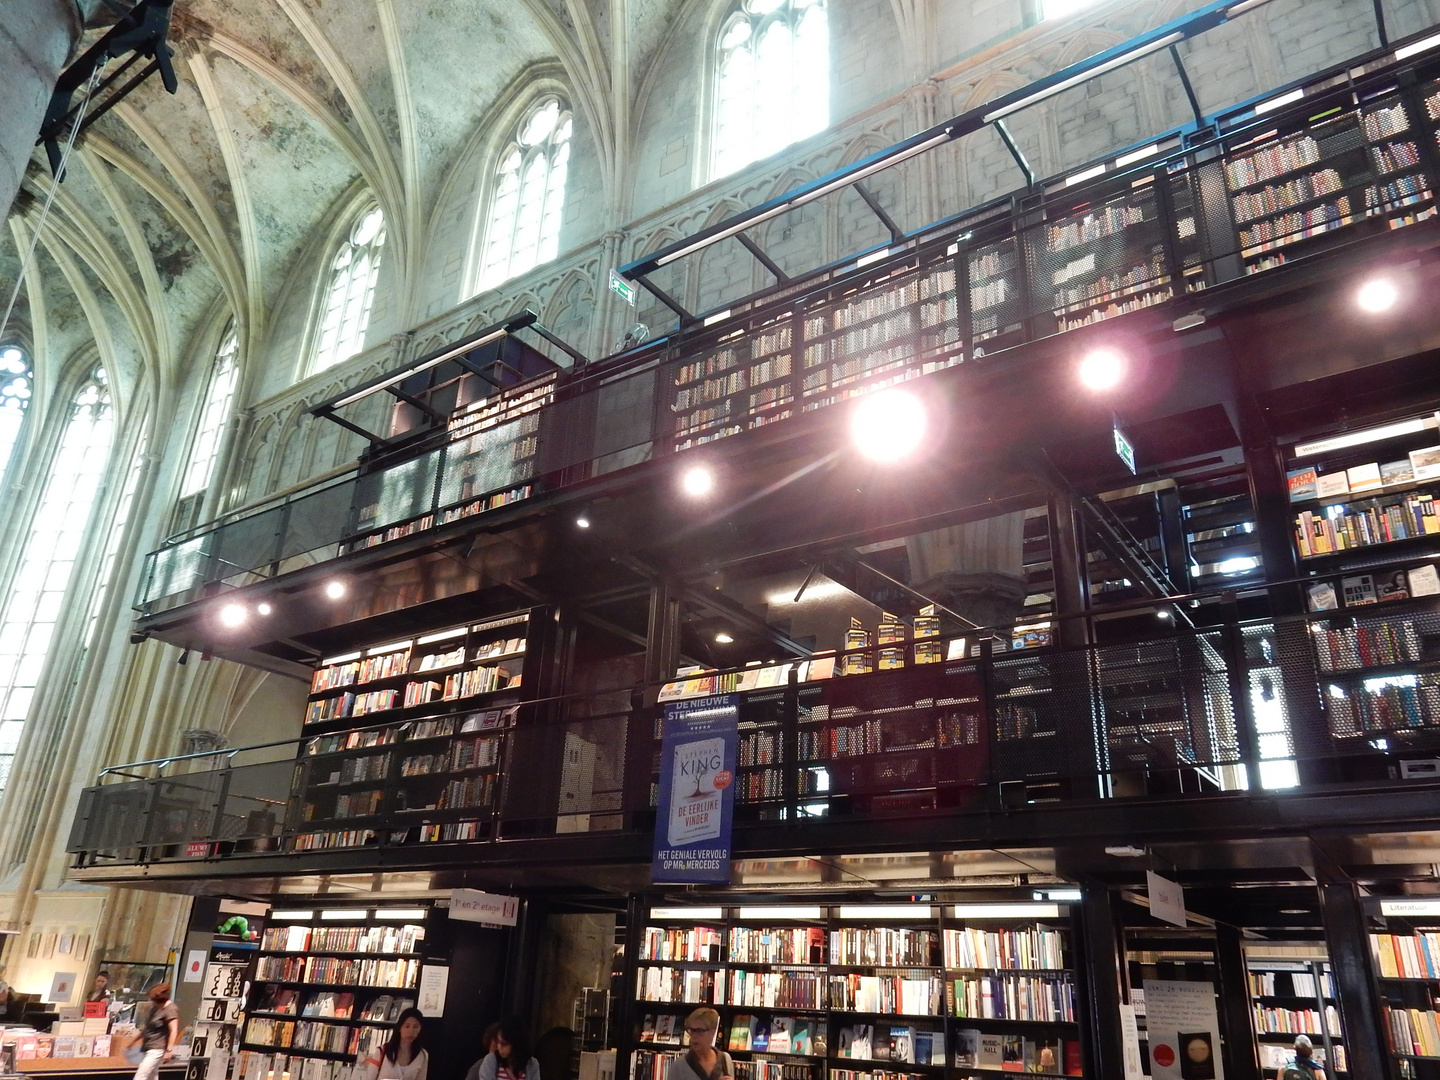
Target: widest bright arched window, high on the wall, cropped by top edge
<point>773,80</point>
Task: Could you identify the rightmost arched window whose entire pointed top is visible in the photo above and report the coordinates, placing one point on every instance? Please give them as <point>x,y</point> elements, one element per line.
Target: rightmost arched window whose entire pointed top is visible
<point>523,227</point>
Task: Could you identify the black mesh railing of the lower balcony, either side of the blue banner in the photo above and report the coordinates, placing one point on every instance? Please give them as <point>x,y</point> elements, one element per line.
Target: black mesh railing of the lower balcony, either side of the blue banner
<point>1184,715</point>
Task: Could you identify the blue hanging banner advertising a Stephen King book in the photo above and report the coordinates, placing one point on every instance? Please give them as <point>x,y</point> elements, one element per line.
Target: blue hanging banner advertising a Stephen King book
<point>696,791</point>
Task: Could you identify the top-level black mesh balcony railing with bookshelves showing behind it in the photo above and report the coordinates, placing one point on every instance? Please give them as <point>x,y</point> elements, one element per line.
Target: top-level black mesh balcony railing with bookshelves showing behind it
<point>1356,156</point>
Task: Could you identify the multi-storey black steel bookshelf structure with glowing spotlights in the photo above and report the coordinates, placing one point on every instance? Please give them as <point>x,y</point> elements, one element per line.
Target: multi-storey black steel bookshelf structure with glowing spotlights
<point>918,731</point>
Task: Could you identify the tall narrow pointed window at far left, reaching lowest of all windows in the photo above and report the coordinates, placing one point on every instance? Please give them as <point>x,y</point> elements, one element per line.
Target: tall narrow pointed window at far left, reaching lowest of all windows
<point>35,601</point>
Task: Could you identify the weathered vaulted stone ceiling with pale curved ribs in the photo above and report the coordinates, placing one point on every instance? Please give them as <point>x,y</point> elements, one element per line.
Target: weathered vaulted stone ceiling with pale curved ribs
<point>179,210</point>
